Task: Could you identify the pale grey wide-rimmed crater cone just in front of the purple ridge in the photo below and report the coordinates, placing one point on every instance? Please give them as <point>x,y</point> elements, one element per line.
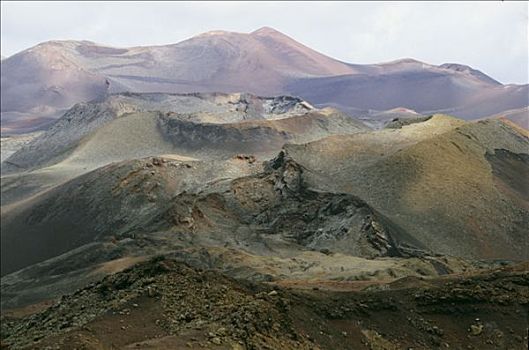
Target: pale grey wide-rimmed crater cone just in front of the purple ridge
<point>128,126</point>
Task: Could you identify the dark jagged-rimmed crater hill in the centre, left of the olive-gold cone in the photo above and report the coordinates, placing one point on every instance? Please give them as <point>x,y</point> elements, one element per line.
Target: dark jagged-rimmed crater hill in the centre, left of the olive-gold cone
<point>270,212</point>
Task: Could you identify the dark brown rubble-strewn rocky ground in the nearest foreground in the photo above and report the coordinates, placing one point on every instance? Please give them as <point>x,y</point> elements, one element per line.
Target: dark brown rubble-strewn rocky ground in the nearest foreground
<point>164,304</point>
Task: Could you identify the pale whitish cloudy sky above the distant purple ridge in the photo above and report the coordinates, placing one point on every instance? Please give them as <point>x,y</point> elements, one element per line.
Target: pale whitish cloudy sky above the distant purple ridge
<point>489,36</point>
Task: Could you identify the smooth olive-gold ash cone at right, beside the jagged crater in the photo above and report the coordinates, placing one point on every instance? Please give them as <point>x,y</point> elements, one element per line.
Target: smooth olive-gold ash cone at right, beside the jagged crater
<point>459,188</point>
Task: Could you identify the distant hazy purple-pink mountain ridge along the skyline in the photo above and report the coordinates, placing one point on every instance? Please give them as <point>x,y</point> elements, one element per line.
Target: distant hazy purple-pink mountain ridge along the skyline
<point>45,80</point>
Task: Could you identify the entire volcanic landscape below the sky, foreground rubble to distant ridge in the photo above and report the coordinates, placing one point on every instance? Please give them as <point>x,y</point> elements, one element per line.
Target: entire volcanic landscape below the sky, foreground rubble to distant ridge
<point>203,219</point>
